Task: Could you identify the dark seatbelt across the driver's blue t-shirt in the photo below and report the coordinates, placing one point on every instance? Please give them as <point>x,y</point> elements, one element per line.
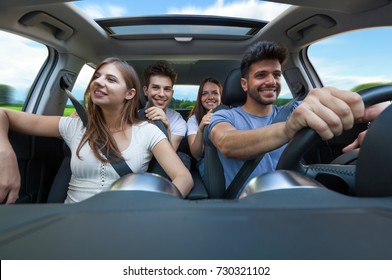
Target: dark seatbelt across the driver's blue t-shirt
<point>237,185</point>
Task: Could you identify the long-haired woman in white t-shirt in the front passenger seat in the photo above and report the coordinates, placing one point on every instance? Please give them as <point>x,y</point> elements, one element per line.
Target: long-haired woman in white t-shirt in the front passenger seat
<point>113,129</point>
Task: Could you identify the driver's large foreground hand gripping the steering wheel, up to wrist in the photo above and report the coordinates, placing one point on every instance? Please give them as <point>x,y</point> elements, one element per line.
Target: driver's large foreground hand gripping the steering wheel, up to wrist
<point>328,111</point>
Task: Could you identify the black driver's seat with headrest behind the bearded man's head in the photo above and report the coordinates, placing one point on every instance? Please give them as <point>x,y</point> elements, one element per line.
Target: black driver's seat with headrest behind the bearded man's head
<point>232,96</point>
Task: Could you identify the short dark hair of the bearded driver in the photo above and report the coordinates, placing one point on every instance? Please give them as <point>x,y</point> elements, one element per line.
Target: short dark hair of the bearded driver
<point>262,50</point>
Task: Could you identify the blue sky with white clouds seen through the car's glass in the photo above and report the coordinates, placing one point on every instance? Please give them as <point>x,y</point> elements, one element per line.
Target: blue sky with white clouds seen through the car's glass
<point>364,62</point>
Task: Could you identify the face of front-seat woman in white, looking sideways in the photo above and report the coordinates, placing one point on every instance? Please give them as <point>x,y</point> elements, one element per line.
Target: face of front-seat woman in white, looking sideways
<point>108,88</point>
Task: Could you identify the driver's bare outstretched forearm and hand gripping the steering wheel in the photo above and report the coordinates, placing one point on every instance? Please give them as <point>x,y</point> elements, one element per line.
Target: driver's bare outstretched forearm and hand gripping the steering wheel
<point>327,110</point>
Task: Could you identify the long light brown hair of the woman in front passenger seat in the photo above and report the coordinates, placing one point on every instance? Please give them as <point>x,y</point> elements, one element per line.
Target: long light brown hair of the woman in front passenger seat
<point>98,134</point>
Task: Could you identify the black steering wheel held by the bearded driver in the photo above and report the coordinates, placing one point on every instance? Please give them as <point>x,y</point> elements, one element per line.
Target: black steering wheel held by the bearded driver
<point>307,137</point>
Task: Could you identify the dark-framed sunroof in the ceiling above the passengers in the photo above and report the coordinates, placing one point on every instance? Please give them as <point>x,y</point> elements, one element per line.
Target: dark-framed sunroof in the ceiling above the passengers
<point>194,26</point>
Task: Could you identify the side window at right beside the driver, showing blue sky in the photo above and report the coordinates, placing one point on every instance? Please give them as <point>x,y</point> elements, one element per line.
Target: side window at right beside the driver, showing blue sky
<point>354,60</point>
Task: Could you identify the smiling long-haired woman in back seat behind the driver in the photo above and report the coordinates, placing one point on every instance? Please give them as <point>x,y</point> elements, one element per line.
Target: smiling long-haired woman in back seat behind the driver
<point>208,98</point>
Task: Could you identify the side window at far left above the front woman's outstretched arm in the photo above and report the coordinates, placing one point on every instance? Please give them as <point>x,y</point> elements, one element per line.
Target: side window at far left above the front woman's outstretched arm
<point>21,60</point>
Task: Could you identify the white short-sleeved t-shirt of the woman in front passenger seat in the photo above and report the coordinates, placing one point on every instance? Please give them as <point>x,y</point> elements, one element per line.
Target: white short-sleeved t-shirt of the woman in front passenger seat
<point>89,175</point>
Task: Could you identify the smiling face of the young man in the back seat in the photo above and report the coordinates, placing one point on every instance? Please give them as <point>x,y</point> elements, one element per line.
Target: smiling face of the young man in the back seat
<point>159,92</point>
